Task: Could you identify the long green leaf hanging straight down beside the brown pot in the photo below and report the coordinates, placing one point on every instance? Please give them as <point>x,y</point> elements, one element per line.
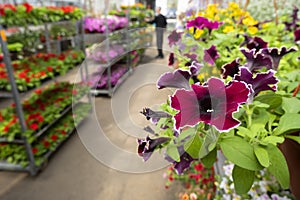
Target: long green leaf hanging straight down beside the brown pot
<point>278,166</point>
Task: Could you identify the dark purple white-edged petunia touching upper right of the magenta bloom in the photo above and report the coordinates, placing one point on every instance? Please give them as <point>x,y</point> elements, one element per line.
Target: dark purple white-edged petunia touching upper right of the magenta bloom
<point>261,82</point>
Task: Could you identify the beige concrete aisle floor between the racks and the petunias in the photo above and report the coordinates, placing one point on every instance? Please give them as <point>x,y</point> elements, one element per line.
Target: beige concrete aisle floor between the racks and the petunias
<point>74,173</point>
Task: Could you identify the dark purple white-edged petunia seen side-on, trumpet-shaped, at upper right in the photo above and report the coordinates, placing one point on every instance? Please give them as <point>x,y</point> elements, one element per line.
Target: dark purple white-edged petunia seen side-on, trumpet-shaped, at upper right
<point>276,54</point>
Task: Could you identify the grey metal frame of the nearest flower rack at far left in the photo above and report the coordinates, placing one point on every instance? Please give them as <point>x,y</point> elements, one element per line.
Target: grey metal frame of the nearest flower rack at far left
<point>32,168</point>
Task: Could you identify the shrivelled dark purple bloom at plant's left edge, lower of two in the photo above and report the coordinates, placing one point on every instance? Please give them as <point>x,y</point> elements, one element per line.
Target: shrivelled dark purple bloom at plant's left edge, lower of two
<point>146,147</point>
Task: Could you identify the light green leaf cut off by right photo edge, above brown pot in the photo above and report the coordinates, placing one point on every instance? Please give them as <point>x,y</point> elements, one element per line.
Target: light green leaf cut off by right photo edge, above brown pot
<point>289,122</point>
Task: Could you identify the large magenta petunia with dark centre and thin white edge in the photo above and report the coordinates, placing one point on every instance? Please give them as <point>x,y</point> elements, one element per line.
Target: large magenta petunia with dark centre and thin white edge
<point>212,104</point>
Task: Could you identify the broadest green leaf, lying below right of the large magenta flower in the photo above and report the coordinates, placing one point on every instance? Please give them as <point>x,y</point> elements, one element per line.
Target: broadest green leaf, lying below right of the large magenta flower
<point>240,153</point>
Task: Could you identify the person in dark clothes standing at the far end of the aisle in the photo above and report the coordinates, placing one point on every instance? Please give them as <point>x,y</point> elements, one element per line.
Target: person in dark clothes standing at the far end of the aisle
<point>160,22</point>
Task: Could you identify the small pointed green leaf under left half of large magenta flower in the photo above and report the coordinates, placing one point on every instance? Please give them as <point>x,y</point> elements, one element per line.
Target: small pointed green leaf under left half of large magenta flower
<point>193,146</point>
